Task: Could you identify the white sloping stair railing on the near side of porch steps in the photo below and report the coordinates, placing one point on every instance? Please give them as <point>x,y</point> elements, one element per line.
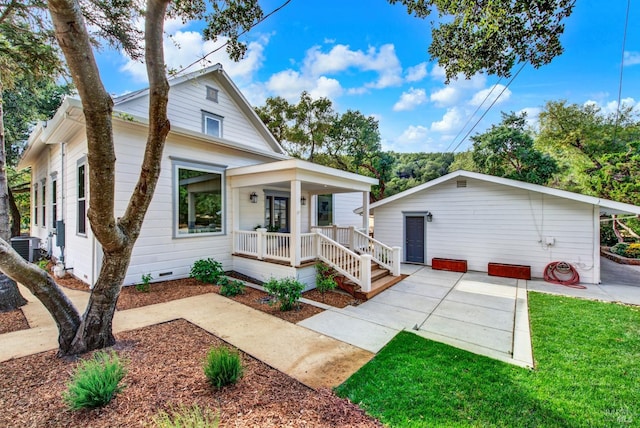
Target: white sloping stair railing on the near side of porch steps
<point>356,267</point>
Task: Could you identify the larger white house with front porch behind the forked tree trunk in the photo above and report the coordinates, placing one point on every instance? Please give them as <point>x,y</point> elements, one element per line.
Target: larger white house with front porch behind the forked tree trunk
<point>223,175</point>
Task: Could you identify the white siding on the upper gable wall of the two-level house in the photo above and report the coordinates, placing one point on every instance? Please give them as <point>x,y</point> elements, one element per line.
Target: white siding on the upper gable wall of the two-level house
<point>187,100</point>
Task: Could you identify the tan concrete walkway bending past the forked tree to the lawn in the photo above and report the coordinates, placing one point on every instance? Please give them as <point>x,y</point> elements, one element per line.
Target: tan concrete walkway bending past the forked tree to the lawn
<point>312,358</point>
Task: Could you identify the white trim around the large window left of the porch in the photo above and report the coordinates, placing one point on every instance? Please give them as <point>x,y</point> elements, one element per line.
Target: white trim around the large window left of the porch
<point>205,167</point>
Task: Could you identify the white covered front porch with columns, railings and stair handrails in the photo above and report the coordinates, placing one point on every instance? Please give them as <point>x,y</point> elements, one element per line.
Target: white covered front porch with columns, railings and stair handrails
<point>278,218</point>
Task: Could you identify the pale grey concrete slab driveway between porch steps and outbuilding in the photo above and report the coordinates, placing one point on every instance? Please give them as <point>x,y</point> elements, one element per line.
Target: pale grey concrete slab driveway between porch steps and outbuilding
<point>472,311</point>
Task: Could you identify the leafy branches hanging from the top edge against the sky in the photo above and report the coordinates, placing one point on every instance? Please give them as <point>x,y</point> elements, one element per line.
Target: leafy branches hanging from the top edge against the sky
<point>492,36</point>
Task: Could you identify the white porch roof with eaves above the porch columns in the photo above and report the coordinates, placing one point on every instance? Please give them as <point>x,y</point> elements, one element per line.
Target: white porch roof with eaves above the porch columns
<point>314,178</point>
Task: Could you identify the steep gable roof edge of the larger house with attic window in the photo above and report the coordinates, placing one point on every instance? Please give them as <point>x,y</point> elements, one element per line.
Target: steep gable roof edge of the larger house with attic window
<point>228,85</point>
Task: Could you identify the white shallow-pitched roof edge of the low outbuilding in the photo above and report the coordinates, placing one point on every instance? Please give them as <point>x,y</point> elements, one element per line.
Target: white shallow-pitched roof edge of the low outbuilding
<point>612,206</point>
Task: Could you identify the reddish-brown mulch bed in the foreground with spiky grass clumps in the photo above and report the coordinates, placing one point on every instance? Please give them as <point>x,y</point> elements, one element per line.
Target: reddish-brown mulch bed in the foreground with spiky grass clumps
<point>165,370</point>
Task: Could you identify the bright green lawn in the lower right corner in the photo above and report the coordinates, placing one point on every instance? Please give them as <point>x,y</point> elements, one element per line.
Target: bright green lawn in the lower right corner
<point>587,375</point>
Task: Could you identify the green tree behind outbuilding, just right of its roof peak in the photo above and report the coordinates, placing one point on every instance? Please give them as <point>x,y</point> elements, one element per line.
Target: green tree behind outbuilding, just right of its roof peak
<point>507,150</point>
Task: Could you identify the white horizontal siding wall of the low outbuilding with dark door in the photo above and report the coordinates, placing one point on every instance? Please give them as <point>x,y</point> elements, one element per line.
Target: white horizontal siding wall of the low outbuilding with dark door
<point>487,222</point>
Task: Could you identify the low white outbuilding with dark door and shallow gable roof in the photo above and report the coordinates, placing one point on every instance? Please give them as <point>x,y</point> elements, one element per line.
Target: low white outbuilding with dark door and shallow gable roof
<point>484,219</point>
